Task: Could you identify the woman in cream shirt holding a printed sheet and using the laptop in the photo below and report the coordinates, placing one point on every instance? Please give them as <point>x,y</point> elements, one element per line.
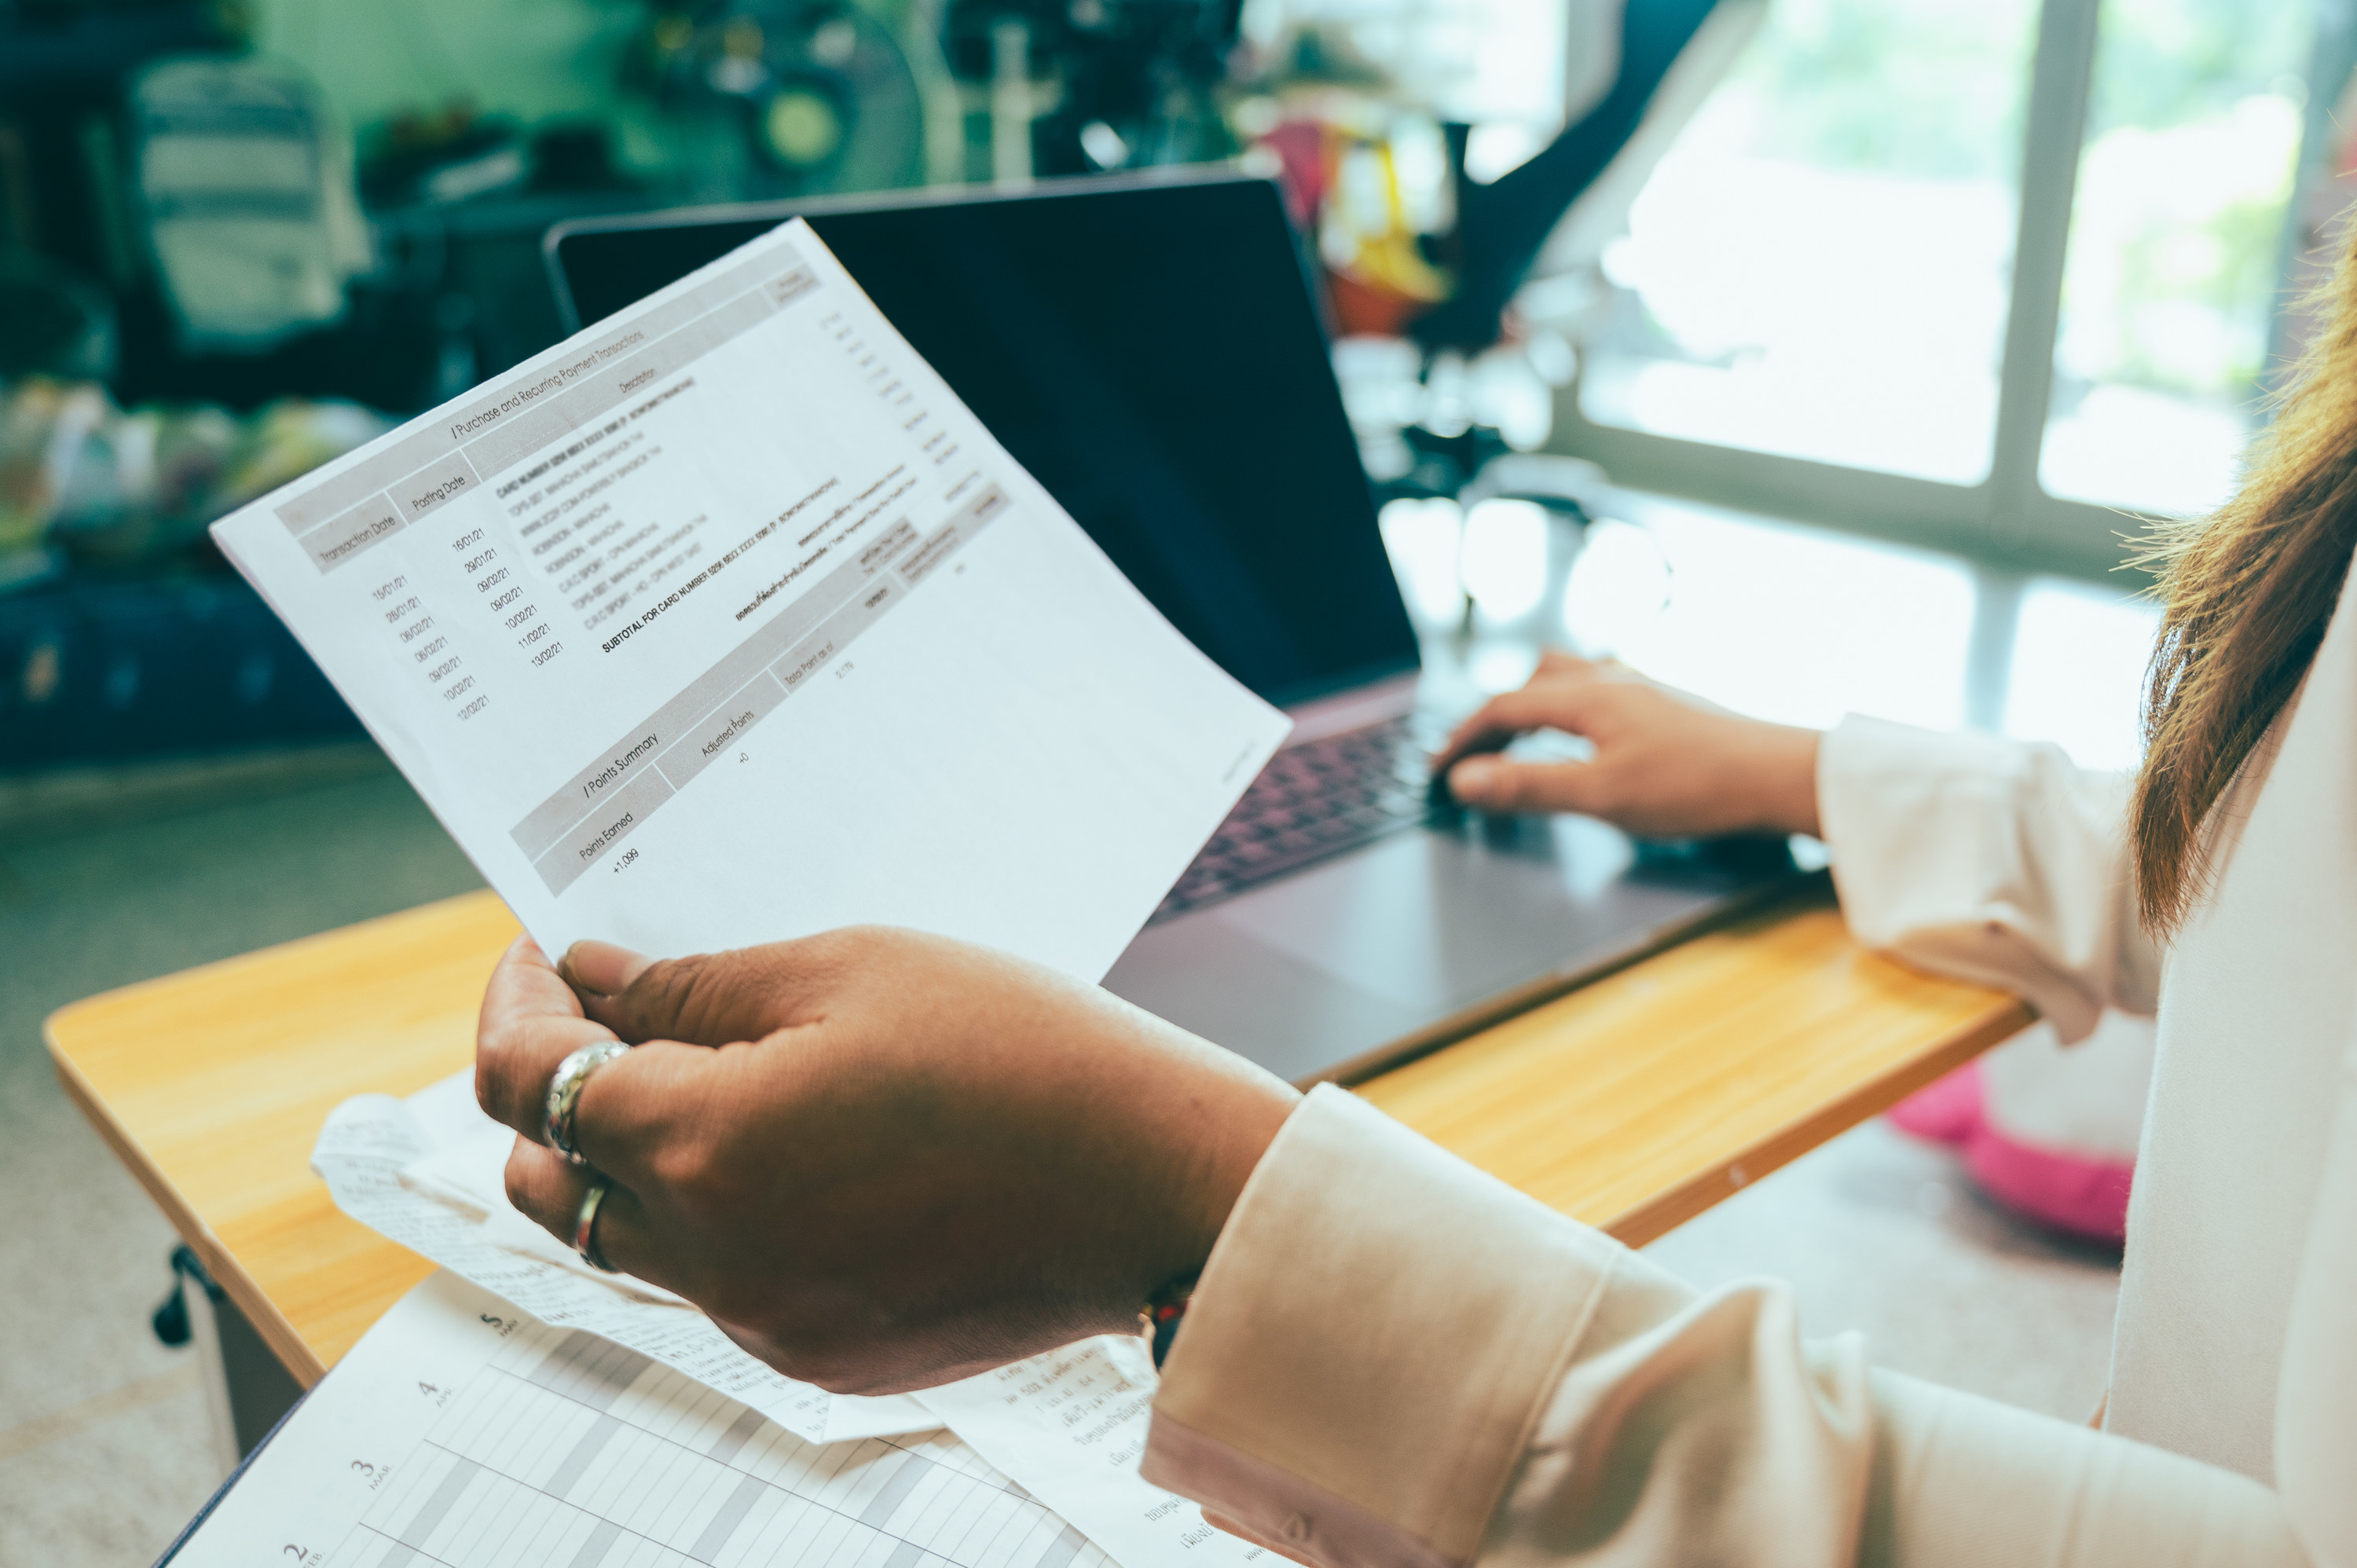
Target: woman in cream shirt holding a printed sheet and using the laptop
<point>883,1161</point>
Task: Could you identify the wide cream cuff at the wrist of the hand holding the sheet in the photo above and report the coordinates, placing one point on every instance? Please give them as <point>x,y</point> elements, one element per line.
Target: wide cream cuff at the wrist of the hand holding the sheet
<point>1371,1345</point>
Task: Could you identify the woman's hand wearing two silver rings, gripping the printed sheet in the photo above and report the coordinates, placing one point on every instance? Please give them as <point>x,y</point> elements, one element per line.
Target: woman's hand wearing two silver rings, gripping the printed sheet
<point>878,1159</point>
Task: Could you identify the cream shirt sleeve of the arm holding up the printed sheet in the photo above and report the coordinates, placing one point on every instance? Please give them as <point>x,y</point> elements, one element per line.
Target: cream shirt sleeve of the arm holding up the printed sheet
<point>1397,1362</point>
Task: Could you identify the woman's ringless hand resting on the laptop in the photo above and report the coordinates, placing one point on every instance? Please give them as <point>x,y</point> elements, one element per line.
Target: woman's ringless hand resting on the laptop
<point>1665,763</point>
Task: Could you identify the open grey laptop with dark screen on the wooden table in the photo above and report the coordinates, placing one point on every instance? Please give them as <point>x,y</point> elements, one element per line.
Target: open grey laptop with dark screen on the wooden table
<point>1151,350</point>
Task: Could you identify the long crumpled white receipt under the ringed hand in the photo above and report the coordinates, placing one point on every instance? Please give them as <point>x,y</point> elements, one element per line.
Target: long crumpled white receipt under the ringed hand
<point>362,1154</point>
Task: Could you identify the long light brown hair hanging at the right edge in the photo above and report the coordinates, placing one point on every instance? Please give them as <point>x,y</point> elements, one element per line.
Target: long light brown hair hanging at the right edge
<point>2247,595</point>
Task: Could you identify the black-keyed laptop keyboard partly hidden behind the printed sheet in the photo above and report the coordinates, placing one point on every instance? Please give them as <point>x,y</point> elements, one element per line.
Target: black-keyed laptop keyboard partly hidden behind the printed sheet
<point>1314,801</point>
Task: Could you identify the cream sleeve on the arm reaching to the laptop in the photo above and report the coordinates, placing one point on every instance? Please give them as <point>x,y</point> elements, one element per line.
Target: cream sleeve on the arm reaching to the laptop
<point>1993,862</point>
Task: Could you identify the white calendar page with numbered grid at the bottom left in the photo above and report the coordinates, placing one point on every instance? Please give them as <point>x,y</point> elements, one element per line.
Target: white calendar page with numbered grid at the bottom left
<point>461,1432</point>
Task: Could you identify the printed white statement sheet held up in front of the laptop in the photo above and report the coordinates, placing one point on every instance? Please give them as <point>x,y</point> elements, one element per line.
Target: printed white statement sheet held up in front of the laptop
<point>727,621</point>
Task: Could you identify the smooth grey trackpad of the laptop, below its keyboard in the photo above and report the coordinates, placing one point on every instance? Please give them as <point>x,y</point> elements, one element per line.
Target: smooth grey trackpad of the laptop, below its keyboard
<point>1437,921</point>
